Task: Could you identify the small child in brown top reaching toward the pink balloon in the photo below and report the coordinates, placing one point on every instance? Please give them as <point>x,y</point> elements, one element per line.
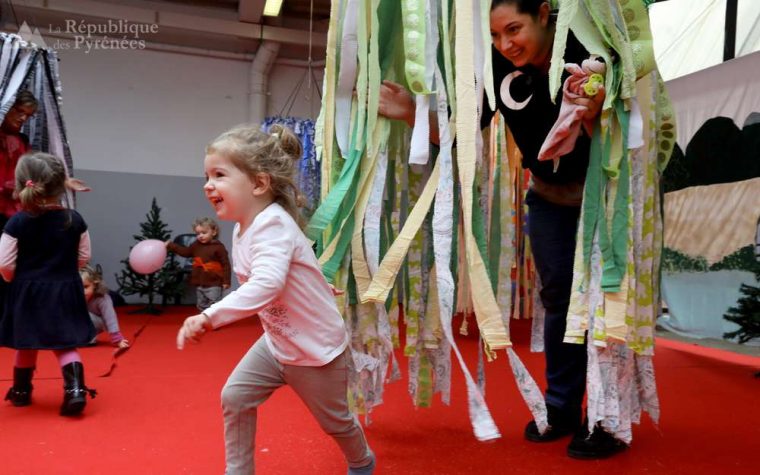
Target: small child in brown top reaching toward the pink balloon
<point>211,263</point>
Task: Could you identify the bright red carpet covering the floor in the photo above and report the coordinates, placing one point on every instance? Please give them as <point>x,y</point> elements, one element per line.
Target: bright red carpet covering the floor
<point>158,412</point>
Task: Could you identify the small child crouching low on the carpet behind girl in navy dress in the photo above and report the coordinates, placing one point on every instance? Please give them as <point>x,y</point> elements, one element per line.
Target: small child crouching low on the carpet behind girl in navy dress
<point>100,306</point>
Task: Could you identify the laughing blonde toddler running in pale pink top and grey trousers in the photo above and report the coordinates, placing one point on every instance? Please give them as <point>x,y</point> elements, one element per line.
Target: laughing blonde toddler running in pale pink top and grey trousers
<point>305,342</point>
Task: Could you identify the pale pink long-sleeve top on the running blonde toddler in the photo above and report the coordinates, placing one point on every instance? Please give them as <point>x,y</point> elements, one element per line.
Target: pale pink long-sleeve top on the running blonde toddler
<point>281,281</point>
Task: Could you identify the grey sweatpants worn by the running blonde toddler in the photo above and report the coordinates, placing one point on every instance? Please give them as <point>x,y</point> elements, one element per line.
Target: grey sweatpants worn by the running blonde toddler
<point>323,389</point>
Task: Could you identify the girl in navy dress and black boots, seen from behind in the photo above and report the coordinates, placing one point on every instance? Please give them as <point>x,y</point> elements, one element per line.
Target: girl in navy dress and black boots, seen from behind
<point>44,308</point>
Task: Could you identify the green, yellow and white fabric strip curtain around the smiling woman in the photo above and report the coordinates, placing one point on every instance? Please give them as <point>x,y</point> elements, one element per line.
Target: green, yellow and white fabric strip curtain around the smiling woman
<point>416,233</point>
